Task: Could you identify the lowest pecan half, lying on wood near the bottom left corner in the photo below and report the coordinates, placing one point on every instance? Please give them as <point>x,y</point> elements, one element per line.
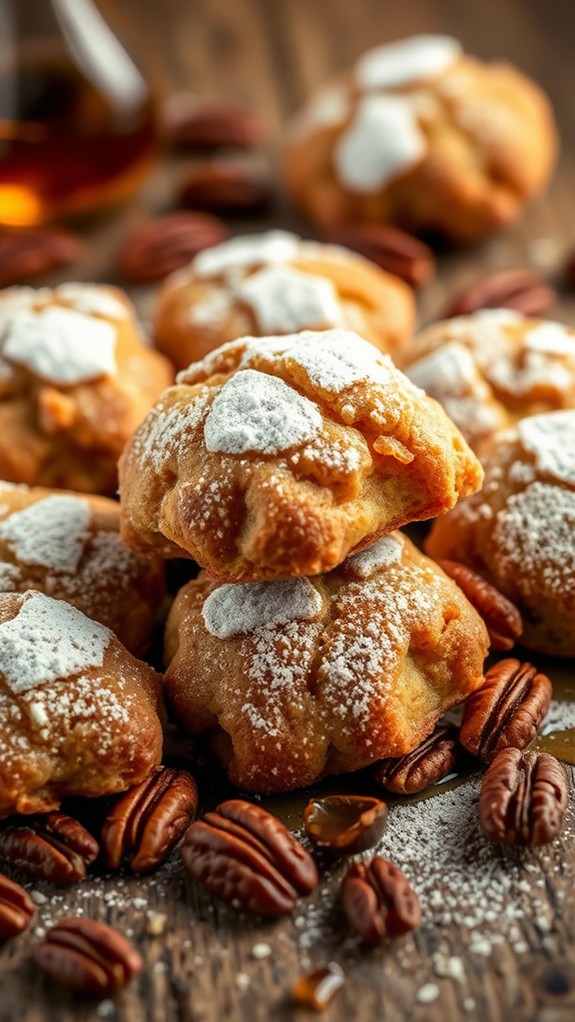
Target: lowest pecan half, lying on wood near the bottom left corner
<point>88,957</point>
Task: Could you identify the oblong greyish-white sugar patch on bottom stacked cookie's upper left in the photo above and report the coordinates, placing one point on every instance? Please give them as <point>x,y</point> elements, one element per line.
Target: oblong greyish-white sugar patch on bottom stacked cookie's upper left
<point>231,611</point>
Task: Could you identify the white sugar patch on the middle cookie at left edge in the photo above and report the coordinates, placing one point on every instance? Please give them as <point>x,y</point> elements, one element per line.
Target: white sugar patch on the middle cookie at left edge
<point>52,532</point>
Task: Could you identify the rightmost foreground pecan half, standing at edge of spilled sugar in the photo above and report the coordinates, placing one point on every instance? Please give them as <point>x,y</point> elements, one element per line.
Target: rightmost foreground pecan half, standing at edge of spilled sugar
<point>523,799</point>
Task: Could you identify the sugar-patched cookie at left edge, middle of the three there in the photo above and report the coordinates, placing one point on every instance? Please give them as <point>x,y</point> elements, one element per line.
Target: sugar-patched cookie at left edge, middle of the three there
<point>69,547</point>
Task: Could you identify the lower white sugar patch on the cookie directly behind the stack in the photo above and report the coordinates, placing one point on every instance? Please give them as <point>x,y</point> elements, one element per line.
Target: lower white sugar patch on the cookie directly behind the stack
<point>285,301</point>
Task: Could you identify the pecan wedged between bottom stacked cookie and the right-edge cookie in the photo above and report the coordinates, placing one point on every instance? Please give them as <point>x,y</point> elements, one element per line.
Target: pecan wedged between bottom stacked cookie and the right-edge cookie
<point>502,618</point>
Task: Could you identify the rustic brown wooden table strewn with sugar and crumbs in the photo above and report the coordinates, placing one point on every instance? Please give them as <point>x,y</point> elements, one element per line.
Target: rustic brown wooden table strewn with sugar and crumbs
<point>468,961</point>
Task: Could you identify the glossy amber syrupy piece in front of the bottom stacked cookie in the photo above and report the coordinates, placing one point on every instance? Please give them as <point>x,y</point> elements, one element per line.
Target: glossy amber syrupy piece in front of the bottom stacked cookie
<point>346,824</point>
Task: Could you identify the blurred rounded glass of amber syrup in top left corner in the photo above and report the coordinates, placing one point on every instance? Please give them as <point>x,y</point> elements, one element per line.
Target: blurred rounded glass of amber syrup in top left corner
<point>78,126</point>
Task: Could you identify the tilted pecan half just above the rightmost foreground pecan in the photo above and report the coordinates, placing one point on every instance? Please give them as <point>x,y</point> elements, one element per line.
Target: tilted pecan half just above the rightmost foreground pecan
<point>507,711</point>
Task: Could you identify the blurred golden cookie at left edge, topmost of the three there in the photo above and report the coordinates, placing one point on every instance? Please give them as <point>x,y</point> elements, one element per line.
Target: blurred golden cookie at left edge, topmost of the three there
<point>76,380</point>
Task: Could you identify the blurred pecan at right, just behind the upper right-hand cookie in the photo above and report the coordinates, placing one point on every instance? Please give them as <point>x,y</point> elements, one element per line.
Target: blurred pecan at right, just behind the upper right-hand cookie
<point>523,291</point>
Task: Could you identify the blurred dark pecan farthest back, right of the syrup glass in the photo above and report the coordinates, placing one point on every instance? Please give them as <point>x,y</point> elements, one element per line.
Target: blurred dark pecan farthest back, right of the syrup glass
<point>214,126</point>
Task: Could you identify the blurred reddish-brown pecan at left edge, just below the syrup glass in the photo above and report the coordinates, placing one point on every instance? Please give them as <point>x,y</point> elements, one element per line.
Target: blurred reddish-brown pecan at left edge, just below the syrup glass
<point>33,253</point>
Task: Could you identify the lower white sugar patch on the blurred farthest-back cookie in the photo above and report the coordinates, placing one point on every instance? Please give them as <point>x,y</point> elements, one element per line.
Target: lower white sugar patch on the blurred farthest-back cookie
<point>382,142</point>
